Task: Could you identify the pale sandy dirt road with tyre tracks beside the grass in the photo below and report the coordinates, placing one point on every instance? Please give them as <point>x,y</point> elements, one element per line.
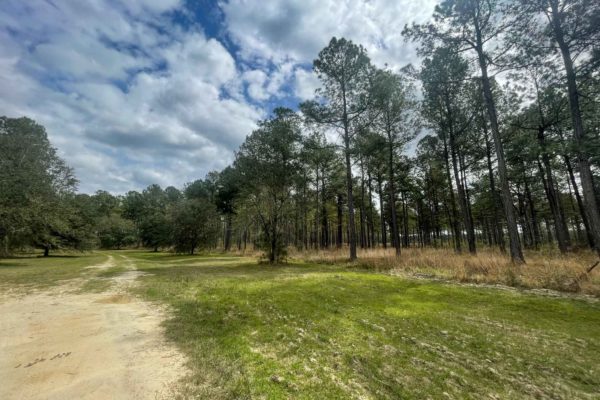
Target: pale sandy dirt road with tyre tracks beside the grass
<point>59,344</point>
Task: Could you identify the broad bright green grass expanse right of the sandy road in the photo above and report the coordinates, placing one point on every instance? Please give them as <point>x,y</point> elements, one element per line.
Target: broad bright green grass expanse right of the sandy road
<point>307,331</point>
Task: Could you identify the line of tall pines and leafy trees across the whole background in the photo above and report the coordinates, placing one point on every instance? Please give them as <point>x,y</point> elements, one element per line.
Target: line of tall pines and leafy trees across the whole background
<point>501,118</point>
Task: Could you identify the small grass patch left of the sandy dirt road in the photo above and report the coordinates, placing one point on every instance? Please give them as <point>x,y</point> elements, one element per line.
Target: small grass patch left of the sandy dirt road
<point>34,272</point>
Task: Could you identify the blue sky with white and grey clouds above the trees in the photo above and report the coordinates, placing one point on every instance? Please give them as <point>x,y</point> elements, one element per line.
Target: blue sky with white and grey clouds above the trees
<point>137,92</point>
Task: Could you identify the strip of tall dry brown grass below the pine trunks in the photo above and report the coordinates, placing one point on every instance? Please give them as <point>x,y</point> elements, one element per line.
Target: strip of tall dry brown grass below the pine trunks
<point>545,269</point>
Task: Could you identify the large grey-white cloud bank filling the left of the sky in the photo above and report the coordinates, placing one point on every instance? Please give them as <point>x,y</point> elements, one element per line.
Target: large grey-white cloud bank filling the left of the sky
<point>126,104</point>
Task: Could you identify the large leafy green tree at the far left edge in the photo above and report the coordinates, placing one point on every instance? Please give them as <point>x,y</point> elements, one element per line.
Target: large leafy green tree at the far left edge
<point>34,185</point>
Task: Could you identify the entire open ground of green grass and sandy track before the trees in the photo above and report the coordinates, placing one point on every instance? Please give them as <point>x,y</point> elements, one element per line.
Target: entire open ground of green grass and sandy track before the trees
<point>300,330</point>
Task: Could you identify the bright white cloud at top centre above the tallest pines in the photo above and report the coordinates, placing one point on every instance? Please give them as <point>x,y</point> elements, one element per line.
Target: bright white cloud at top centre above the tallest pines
<point>296,30</point>
